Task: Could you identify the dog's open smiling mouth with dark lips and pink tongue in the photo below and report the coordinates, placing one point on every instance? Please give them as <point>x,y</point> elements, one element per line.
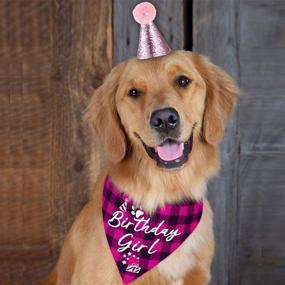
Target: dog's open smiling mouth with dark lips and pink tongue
<point>170,153</point>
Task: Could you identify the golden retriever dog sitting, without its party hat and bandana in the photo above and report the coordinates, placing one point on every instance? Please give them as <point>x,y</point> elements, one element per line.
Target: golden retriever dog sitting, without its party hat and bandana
<point>180,99</point>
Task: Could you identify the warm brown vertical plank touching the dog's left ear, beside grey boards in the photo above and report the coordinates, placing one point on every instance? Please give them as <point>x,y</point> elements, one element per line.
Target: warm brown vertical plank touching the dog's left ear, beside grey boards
<point>81,58</point>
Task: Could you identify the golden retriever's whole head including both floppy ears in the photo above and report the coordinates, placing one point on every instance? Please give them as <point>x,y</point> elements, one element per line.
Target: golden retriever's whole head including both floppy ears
<point>161,107</point>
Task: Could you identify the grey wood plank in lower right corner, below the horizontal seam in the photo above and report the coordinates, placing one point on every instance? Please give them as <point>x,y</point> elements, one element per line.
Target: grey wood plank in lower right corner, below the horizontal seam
<point>262,234</point>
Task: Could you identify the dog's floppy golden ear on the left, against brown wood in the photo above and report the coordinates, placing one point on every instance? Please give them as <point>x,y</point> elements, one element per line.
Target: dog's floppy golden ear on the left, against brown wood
<point>101,114</point>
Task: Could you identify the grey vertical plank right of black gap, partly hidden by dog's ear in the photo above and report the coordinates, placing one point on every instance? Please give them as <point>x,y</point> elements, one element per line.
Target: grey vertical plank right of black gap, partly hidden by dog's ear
<point>214,34</point>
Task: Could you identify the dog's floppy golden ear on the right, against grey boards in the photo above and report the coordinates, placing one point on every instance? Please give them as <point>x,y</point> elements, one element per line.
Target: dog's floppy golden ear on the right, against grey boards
<point>221,96</point>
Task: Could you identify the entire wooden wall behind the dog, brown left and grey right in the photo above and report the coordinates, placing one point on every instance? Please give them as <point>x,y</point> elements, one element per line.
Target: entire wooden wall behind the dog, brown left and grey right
<point>53,54</point>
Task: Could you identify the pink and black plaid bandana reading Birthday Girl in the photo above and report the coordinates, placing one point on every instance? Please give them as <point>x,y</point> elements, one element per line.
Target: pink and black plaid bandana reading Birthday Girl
<point>139,241</point>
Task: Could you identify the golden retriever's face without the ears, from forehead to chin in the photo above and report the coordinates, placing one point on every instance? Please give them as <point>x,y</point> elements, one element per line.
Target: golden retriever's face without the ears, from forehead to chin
<point>160,102</point>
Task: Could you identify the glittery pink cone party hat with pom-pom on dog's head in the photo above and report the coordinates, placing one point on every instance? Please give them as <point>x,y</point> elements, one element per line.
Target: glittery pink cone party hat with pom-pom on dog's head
<point>151,42</point>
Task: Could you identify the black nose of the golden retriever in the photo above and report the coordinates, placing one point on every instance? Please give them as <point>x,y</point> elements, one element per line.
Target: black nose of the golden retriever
<point>164,120</point>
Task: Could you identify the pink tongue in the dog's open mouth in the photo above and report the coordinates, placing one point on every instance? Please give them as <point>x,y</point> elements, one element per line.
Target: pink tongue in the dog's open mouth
<point>169,150</point>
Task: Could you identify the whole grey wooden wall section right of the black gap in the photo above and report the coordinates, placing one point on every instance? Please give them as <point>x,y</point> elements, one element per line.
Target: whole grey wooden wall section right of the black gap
<point>247,38</point>
